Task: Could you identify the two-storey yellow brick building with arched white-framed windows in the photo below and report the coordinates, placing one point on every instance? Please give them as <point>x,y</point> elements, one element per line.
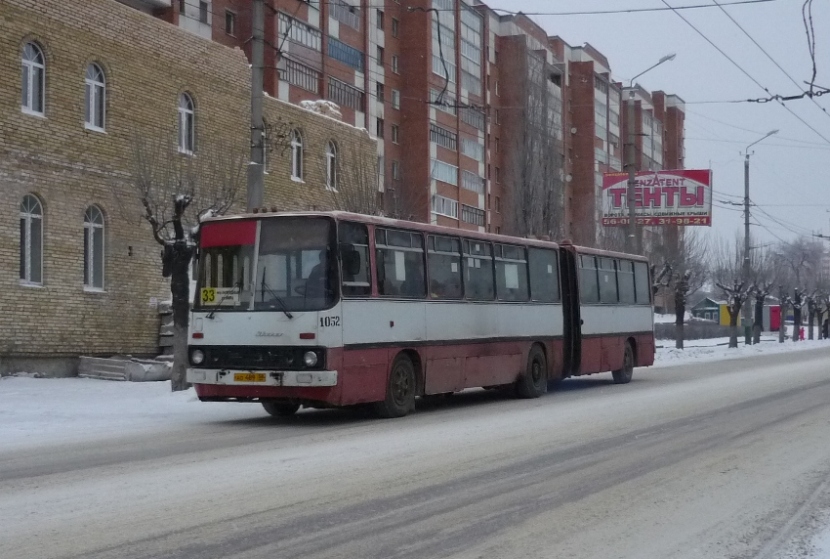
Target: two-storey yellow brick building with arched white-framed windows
<point>79,272</point>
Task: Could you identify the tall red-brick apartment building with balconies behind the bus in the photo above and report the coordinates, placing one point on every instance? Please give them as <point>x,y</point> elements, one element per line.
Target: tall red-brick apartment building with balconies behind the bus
<point>458,97</point>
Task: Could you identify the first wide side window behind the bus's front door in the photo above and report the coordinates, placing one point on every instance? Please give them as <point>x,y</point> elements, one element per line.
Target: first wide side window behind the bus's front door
<point>400,263</point>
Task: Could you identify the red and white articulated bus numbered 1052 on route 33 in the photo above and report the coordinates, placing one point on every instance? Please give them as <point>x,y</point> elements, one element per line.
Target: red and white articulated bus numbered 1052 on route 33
<point>326,309</point>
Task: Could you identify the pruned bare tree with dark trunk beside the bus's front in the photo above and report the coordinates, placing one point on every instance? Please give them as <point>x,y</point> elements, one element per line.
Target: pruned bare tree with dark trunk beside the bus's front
<point>173,192</point>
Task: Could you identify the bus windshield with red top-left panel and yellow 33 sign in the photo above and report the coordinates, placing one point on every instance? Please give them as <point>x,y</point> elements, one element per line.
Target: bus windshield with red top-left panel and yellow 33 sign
<point>293,270</point>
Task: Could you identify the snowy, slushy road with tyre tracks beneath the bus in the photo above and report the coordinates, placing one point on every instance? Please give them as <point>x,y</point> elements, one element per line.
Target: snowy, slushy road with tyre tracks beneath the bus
<point>719,459</point>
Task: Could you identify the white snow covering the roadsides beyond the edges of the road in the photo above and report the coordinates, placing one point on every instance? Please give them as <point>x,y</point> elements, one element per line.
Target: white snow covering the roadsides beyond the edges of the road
<point>36,412</point>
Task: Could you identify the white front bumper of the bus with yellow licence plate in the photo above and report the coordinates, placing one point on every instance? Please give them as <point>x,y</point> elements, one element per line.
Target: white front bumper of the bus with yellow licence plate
<point>234,377</point>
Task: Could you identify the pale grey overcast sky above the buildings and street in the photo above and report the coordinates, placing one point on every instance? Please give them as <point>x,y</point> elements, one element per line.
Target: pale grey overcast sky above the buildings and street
<point>788,170</point>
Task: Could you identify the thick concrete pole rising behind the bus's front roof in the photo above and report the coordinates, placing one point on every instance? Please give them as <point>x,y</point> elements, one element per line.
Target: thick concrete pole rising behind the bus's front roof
<point>256,170</point>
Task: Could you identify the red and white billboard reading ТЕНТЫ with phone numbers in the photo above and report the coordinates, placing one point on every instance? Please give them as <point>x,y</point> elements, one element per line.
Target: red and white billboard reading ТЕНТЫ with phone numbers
<point>679,197</point>
